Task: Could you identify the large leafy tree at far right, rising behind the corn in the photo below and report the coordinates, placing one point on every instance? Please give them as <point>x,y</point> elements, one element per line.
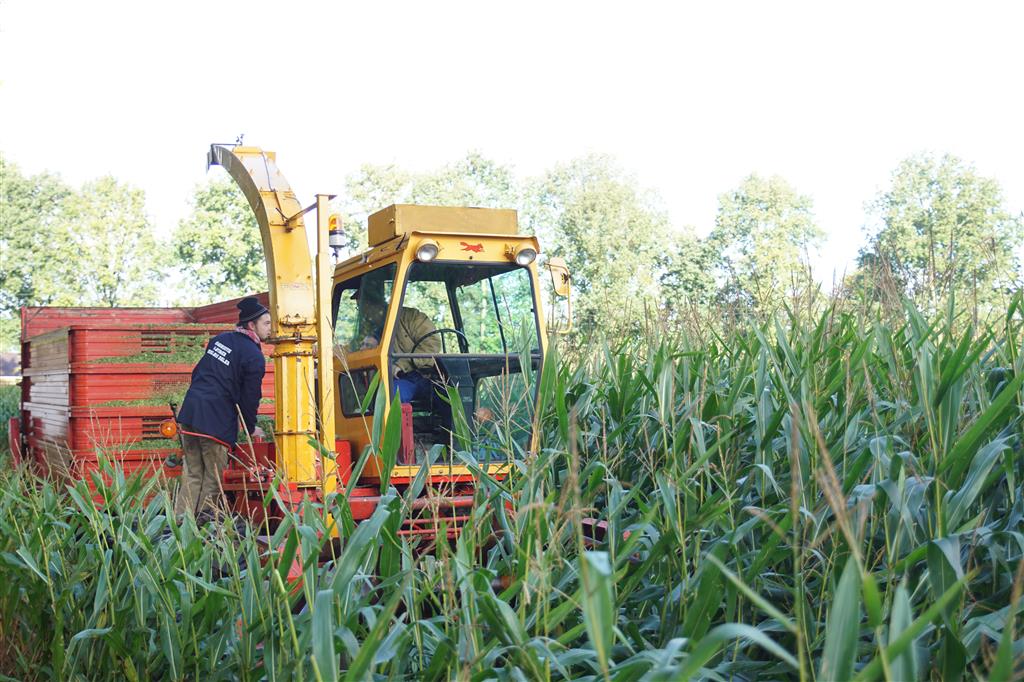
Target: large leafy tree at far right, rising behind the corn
<point>942,229</point>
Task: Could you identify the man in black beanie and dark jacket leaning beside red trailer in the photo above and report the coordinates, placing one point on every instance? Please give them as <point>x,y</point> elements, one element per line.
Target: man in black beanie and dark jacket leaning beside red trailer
<point>227,382</point>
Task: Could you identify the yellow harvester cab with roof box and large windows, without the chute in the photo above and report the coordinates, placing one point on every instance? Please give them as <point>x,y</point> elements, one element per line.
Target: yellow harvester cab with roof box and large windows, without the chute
<point>444,311</point>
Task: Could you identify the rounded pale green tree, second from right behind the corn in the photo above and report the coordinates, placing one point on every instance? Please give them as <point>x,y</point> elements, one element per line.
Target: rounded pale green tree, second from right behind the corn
<point>764,234</point>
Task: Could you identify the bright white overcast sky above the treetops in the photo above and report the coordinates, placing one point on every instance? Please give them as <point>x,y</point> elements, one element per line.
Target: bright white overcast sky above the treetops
<point>689,99</point>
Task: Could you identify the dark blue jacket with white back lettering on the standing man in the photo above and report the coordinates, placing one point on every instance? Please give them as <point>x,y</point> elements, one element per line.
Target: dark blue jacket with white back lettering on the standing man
<point>230,373</point>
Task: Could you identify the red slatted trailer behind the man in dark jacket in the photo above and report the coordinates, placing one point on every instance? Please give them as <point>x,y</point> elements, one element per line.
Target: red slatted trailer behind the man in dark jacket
<point>99,382</point>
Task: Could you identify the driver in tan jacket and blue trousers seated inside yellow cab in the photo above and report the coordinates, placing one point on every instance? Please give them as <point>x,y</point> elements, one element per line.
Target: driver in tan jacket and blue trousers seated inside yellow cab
<point>414,333</point>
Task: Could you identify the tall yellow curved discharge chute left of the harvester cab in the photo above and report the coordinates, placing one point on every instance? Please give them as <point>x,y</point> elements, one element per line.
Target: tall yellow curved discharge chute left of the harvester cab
<point>294,308</point>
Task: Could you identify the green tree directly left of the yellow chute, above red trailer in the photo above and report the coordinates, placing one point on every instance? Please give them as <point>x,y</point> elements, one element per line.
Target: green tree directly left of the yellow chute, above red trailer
<point>220,245</point>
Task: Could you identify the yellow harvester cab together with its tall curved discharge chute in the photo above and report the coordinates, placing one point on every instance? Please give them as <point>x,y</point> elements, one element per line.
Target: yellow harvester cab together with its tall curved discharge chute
<point>442,317</point>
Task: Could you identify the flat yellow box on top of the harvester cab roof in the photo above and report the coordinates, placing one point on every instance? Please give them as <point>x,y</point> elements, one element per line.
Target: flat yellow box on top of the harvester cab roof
<point>403,219</point>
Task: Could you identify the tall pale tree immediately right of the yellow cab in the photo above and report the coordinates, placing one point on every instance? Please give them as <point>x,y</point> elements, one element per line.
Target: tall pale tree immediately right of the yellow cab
<point>612,234</point>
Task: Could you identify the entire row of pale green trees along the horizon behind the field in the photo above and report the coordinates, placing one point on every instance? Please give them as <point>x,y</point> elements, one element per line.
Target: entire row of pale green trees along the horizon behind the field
<point>940,230</point>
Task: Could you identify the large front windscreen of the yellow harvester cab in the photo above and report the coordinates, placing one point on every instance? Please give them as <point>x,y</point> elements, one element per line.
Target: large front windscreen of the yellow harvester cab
<point>477,345</point>
